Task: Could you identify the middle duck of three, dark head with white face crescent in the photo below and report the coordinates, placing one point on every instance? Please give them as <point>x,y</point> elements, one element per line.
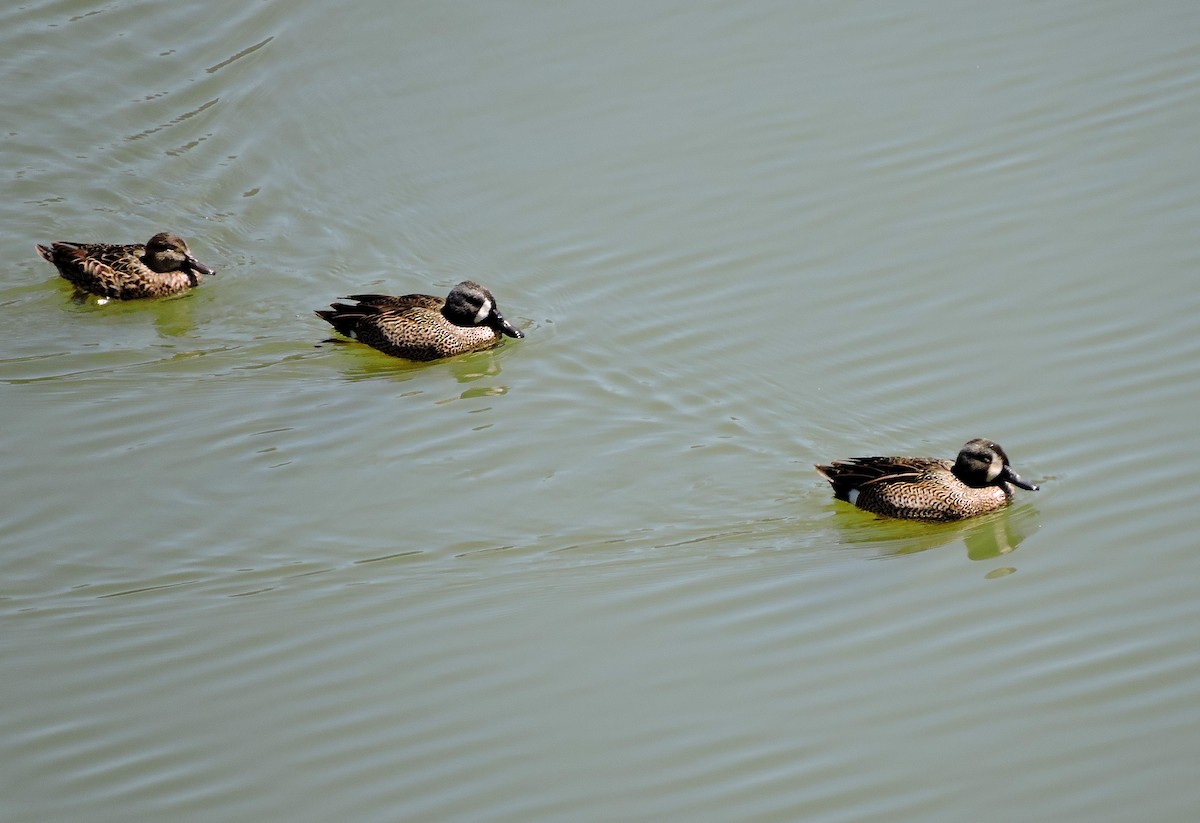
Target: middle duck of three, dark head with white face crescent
<point>422,327</point>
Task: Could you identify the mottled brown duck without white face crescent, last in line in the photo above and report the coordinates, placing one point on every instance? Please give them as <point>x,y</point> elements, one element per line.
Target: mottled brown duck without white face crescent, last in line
<point>160,267</point>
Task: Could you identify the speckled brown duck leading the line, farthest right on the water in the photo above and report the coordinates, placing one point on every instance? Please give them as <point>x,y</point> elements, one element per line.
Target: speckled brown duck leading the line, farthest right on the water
<point>981,480</point>
